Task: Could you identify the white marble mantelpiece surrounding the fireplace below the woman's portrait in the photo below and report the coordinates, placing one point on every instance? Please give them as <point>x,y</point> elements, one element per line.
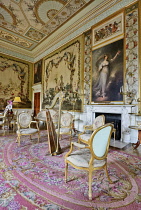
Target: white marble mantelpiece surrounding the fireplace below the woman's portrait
<point>127,118</point>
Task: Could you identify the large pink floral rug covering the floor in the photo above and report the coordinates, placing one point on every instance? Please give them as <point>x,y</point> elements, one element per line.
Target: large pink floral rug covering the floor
<point>32,179</point>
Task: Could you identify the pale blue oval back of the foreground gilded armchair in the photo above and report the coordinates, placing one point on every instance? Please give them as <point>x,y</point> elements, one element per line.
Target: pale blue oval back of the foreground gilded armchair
<point>100,141</point>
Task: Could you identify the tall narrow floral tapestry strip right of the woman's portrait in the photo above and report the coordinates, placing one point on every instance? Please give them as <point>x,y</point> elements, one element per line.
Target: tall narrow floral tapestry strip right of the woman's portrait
<point>132,48</point>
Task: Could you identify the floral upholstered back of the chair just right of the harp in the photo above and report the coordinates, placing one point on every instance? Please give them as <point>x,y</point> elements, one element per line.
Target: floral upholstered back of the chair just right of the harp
<point>66,119</point>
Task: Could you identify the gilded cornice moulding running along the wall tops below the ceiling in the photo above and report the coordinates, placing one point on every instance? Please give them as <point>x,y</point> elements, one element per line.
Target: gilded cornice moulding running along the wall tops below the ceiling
<point>84,20</point>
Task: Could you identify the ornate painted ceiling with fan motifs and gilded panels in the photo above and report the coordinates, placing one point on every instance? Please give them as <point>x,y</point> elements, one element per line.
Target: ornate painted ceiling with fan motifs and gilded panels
<point>27,23</point>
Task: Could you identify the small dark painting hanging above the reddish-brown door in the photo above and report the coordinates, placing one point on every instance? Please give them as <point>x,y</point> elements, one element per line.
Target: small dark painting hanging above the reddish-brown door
<point>38,72</point>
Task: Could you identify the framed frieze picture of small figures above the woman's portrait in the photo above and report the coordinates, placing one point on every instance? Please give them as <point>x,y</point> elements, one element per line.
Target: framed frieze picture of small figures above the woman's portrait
<point>110,29</point>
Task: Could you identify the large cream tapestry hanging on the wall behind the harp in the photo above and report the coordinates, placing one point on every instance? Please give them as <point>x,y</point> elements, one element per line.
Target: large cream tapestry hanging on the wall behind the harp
<point>63,72</point>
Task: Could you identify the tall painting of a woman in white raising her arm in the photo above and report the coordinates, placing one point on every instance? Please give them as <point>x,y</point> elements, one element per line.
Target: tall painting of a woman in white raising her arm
<point>107,72</point>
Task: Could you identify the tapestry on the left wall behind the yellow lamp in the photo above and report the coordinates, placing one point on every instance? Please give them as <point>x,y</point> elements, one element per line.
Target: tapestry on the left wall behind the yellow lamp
<point>14,81</point>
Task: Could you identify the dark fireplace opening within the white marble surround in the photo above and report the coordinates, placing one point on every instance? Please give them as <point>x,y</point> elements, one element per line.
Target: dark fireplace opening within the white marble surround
<point>115,119</point>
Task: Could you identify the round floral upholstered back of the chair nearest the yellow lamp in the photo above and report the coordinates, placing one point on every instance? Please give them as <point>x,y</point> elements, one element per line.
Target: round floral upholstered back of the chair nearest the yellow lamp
<point>24,119</point>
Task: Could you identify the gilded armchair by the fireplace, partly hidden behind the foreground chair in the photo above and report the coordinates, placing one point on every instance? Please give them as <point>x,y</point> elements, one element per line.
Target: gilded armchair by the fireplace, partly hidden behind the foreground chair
<point>85,137</point>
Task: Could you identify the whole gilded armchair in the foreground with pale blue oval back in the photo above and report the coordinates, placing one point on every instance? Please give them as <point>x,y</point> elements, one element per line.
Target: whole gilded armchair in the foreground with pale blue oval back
<point>91,157</point>
